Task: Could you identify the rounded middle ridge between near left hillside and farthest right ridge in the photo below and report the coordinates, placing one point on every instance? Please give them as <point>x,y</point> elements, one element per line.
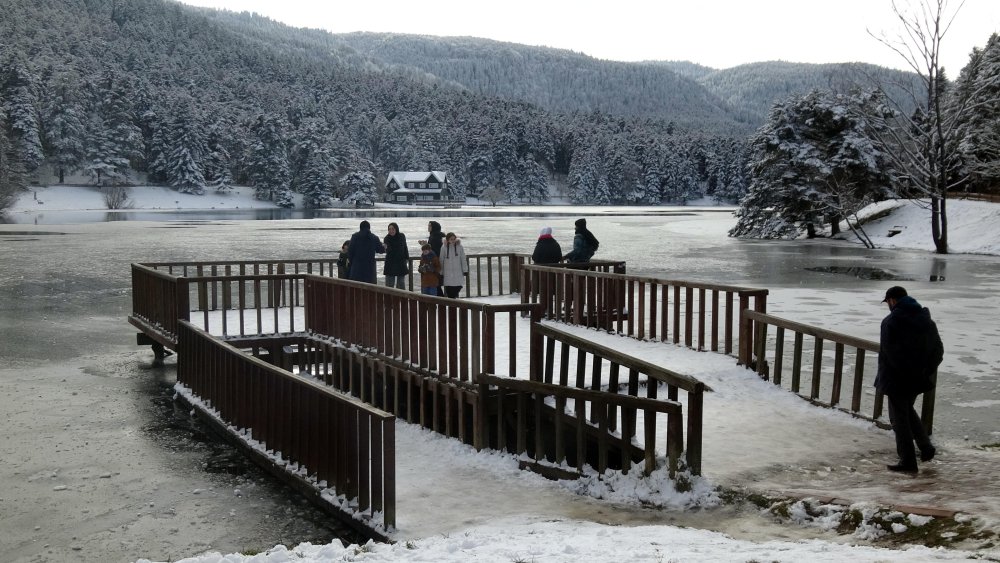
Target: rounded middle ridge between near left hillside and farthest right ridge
<point>558,80</point>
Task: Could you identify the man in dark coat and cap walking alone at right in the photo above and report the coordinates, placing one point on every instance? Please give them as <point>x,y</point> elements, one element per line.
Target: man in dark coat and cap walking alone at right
<point>910,351</point>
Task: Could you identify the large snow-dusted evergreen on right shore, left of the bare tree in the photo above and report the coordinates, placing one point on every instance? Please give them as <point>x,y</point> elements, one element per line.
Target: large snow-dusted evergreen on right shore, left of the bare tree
<point>814,161</point>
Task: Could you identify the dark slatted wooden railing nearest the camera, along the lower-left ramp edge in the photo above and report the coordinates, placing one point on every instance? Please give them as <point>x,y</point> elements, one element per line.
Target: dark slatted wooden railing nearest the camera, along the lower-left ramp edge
<point>332,437</point>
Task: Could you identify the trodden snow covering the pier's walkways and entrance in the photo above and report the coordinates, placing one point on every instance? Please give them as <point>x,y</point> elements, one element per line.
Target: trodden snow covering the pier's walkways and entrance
<point>756,436</point>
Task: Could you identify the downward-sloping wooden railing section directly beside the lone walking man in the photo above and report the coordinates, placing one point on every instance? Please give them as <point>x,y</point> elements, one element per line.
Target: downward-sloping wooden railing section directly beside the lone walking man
<point>820,373</point>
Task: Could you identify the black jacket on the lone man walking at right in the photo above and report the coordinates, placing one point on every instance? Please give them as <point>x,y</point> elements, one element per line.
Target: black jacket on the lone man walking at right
<point>910,350</point>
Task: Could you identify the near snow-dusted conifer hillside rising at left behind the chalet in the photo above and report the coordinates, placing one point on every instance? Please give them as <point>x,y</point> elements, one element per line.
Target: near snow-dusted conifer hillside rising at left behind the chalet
<point>110,87</point>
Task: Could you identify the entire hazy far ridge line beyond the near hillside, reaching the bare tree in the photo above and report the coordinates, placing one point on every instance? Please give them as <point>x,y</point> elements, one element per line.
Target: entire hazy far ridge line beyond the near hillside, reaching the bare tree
<point>687,93</point>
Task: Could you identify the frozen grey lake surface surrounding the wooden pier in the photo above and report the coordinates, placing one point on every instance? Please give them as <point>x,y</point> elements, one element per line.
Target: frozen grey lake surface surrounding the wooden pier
<point>67,349</point>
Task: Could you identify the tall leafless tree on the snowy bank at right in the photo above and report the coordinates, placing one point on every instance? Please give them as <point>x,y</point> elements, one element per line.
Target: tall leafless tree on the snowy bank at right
<point>925,143</point>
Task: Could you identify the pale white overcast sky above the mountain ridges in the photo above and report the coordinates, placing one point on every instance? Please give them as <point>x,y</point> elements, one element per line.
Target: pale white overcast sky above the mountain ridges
<point>715,33</point>
